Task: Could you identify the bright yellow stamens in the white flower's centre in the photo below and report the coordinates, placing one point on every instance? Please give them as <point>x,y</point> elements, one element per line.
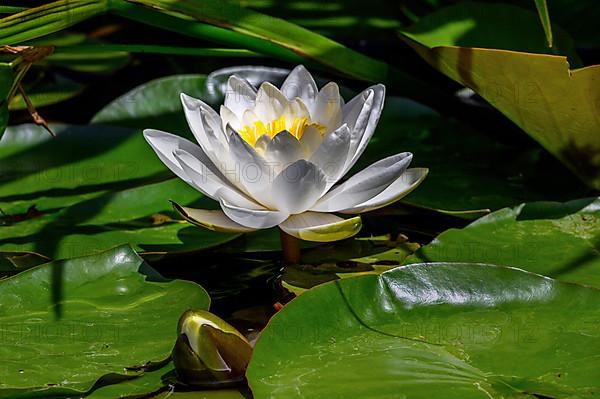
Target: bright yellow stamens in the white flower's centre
<point>296,127</point>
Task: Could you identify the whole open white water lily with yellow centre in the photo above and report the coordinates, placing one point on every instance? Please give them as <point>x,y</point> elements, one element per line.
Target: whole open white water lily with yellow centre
<point>275,157</point>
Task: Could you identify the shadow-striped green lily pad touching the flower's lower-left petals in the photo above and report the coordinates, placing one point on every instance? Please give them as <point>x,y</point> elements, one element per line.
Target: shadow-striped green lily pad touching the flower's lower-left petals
<point>140,216</point>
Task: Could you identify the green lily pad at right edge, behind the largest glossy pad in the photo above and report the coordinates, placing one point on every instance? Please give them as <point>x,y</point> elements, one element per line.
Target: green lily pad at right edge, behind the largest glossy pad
<point>560,240</point>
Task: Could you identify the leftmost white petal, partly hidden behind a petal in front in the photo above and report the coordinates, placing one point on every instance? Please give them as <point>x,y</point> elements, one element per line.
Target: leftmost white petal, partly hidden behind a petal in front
<point>164,144</point>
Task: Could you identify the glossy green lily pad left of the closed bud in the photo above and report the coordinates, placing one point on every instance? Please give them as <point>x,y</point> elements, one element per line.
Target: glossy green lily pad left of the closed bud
<point>67,324</point>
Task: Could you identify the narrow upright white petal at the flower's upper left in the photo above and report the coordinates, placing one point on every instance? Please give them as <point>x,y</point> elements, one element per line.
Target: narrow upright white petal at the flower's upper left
<point>205,124</point>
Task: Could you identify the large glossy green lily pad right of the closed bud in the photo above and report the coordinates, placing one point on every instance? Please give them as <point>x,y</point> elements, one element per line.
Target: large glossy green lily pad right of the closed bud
<point>433,330</point>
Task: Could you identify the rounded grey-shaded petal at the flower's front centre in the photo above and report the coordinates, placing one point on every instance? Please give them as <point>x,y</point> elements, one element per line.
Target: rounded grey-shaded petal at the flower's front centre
<point>298,187</point>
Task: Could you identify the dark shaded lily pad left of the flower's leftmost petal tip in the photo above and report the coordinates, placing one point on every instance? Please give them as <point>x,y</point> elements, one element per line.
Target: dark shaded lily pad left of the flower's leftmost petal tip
<point>80,163</point>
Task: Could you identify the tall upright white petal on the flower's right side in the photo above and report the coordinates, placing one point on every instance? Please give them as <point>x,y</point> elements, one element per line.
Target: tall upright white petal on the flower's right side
<point>362,115</point>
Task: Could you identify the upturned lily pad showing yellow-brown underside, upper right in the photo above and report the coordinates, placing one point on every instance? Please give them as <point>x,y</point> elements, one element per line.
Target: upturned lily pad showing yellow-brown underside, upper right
<point>555,105</point>
